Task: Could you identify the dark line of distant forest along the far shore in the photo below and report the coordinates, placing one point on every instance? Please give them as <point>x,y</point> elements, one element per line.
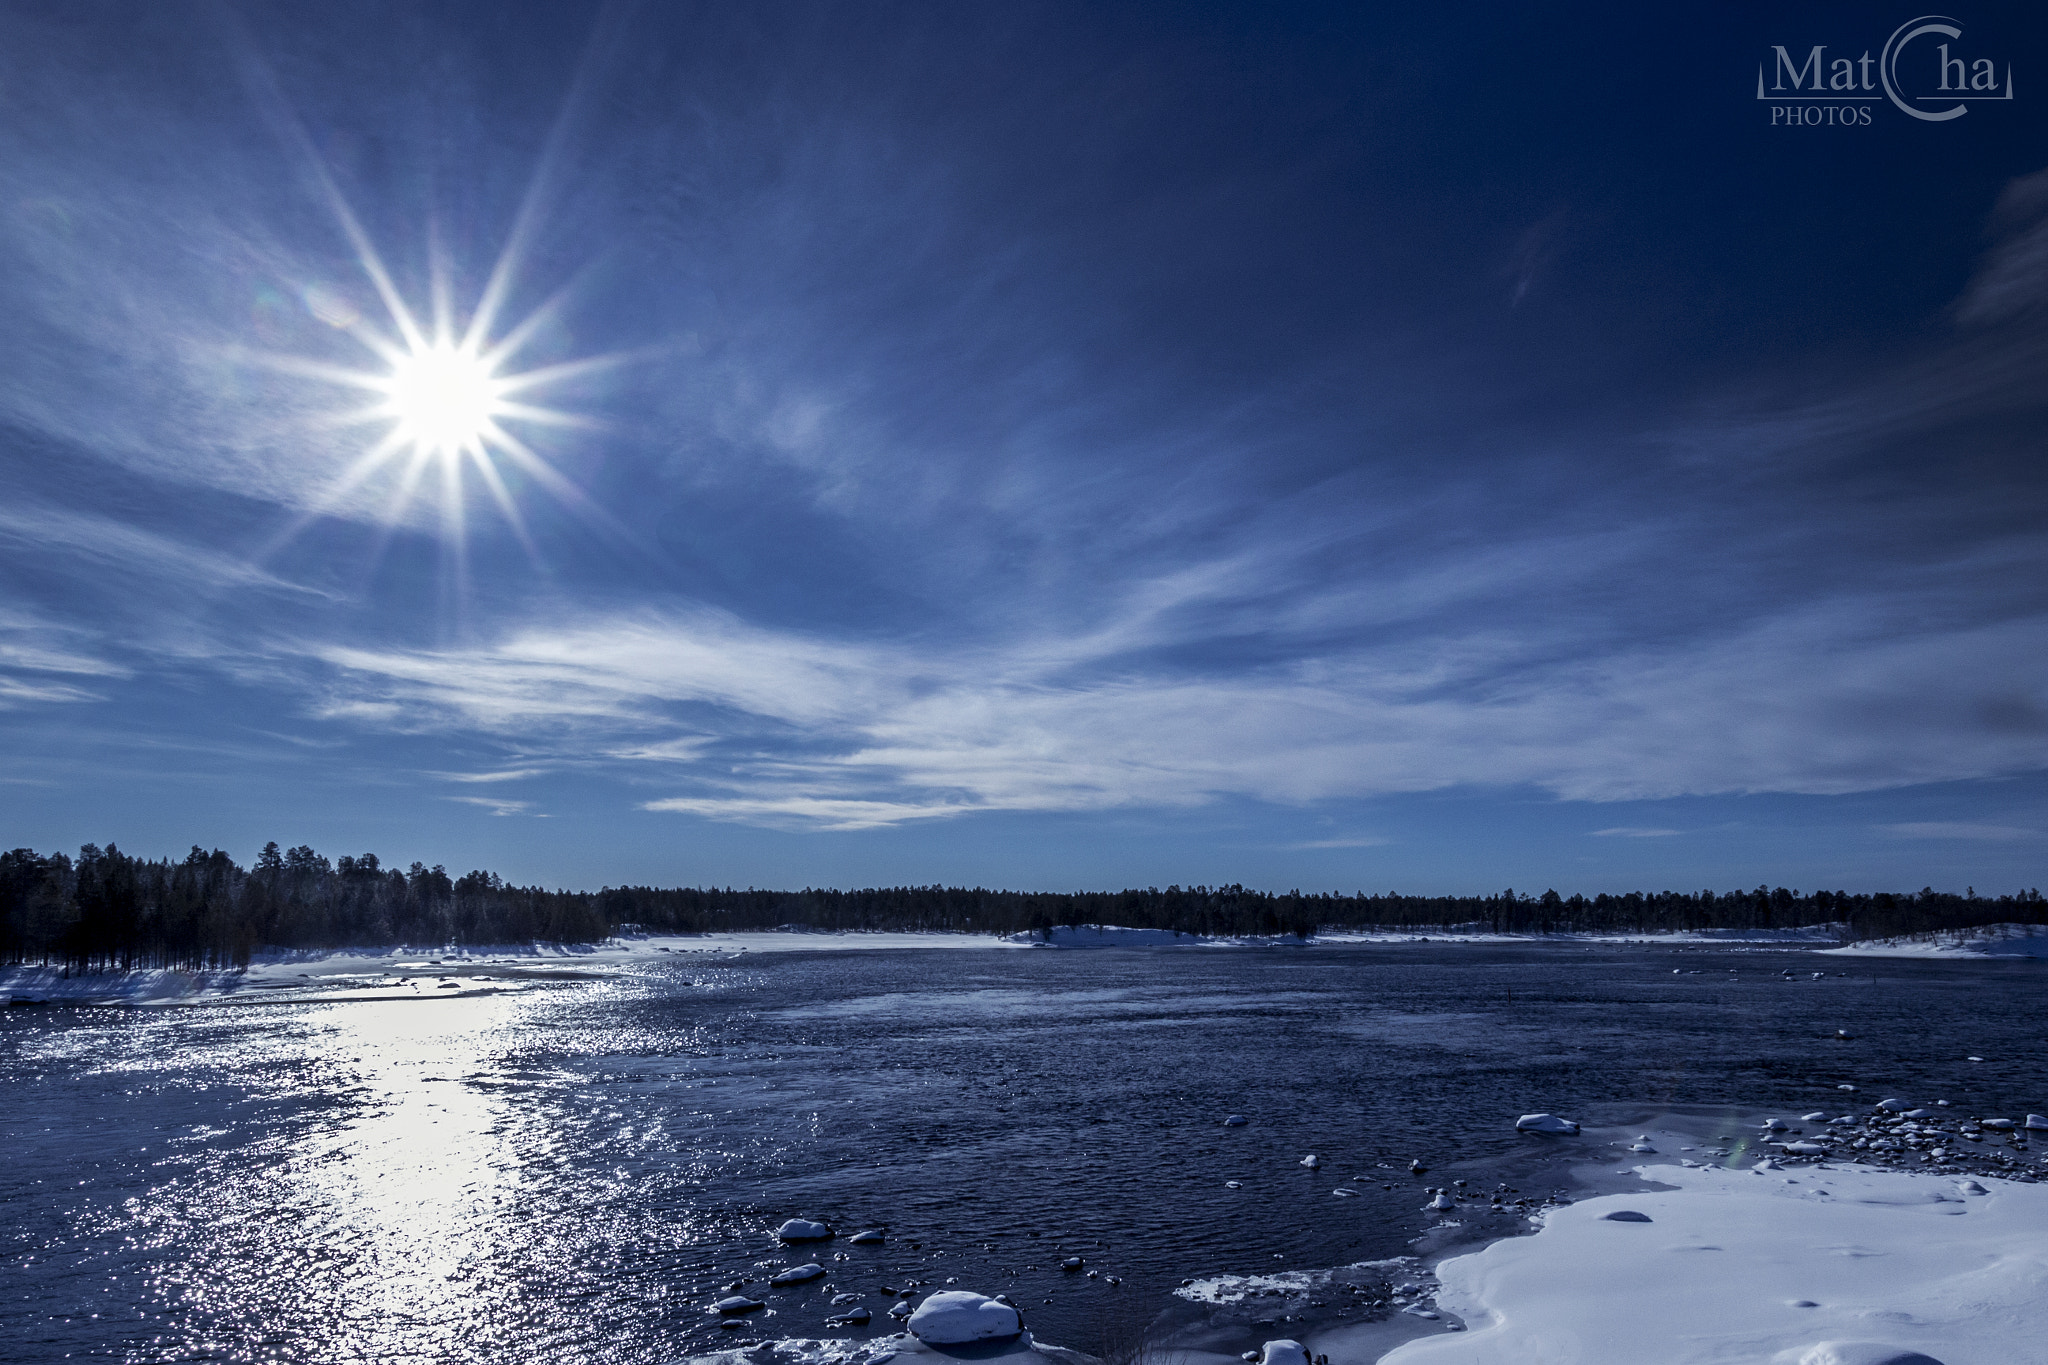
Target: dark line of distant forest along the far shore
<point>108,910</point>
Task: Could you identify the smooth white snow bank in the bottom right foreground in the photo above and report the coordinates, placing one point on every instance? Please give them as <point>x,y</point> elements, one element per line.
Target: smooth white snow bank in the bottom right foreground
<point>1793,1268</point>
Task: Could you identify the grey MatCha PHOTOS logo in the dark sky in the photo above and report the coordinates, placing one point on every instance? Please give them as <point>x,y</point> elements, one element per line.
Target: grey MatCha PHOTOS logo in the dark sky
<point>1924,71</point>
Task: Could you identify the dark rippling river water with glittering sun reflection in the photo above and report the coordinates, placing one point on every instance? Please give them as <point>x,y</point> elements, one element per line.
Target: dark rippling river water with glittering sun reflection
<point>572,1174</point>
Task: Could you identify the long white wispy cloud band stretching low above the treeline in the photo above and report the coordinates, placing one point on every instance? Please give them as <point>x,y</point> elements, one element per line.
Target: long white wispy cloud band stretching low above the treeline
<point>790,728</point>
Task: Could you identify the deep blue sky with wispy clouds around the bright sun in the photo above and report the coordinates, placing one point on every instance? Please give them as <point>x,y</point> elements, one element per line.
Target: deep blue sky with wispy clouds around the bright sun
<point>1027,445</point>
